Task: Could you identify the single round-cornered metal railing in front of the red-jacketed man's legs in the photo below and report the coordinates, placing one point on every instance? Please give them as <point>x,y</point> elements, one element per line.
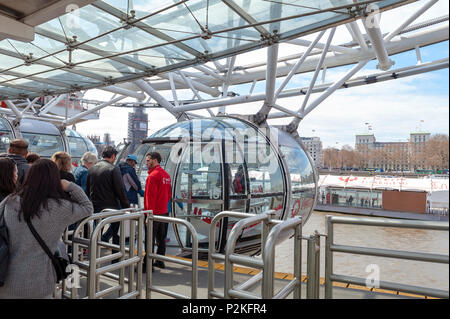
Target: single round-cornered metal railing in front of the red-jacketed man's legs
<point>152,256</point>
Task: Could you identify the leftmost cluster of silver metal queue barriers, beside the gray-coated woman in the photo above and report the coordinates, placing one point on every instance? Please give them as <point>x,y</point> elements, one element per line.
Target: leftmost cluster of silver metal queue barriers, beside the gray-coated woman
<point>127,254</point>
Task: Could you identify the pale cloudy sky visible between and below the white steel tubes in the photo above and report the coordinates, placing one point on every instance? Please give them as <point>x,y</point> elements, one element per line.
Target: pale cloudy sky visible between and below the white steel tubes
<point>393,109</point>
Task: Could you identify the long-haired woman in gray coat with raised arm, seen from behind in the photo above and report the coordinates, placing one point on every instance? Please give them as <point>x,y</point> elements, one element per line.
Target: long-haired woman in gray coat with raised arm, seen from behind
<point>51,205</point>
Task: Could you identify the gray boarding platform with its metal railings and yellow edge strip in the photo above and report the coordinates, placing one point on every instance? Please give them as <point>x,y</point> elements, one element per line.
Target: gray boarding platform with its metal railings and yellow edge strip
<point>107,271</point>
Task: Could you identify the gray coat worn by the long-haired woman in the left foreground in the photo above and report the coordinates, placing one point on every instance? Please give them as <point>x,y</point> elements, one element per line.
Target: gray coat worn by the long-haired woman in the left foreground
<point>30,271</point>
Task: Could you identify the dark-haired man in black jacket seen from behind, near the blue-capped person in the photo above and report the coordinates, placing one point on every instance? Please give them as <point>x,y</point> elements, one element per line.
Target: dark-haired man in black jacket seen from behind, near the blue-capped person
<point>104,186</point>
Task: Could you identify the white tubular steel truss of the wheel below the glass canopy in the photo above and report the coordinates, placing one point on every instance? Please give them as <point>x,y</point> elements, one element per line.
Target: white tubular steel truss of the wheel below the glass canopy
<point>211,82</point>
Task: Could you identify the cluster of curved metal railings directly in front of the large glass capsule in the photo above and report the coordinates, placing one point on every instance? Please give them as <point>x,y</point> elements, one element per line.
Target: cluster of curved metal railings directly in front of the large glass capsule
<point>271,230</point>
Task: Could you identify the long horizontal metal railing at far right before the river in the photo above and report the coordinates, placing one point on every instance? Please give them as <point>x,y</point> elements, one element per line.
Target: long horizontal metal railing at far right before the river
<point>331,247</point>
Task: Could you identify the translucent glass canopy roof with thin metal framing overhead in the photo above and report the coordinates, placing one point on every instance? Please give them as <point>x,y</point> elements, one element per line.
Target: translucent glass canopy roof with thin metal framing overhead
<point>111,41</point>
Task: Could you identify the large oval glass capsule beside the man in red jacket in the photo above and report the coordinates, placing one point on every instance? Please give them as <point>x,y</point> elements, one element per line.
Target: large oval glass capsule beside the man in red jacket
<point>229,164</point>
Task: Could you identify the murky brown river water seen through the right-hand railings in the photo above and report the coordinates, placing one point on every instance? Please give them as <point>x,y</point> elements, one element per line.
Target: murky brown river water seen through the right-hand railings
<point>425,274</point>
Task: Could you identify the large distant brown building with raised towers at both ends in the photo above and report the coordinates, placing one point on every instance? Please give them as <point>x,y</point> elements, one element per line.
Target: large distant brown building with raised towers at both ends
<point>396,156</point>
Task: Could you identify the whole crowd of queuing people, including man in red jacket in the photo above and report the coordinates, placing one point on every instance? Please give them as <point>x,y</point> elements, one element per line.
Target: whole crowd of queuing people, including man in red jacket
<point>47,194</point>
